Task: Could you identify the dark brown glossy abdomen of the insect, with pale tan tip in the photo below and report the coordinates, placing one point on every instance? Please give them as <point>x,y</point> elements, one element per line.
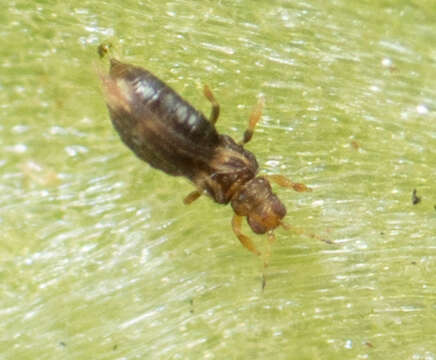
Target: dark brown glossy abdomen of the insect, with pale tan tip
<point>156,123</point>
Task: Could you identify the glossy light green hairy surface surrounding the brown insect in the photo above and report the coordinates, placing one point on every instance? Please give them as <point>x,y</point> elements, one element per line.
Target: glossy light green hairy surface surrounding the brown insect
<point>99,258</point>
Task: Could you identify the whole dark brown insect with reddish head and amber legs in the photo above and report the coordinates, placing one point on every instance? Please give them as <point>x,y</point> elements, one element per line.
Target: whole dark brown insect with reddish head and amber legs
<point>168,133</point>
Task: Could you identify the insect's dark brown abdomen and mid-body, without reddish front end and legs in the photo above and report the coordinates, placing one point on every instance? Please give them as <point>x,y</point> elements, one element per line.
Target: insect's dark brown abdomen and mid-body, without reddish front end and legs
<point>167,132</point>
